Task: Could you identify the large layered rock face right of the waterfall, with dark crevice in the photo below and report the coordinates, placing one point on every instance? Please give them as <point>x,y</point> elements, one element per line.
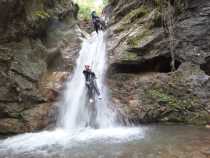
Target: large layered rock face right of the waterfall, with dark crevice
<point>142,46</point>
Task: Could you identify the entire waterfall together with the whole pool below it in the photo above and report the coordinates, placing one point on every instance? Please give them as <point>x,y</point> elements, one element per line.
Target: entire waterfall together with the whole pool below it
<point>74,139</point>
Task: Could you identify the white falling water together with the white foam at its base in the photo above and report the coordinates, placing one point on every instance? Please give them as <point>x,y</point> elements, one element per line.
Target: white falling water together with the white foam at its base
<point>74,113</point>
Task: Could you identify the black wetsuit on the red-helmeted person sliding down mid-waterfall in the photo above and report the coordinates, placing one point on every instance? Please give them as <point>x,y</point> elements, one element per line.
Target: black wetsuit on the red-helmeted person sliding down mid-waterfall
<point>90,78</point>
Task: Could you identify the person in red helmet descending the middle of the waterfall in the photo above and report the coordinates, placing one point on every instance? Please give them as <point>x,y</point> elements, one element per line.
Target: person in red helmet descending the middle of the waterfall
<point>90,78</point>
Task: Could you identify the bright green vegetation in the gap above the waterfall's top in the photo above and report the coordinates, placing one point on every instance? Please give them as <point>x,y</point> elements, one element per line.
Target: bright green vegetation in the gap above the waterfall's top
<point>87,6</point>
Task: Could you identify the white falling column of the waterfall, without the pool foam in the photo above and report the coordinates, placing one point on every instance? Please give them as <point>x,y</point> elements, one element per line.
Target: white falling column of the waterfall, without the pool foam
<point>74,113</point>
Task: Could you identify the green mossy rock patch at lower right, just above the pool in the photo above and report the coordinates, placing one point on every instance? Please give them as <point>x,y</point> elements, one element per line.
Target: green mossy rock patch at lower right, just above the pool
<point>182,110</point>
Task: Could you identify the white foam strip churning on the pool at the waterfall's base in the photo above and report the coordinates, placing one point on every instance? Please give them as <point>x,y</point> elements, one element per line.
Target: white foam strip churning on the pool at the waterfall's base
<point>40,141</point>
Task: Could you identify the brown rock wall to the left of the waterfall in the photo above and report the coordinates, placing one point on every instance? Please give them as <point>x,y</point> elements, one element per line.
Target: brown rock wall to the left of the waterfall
<point>38,38</point>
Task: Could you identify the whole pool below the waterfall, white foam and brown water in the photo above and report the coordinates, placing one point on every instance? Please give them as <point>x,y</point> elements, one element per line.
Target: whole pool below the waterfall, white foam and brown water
<point>158,141</point>
